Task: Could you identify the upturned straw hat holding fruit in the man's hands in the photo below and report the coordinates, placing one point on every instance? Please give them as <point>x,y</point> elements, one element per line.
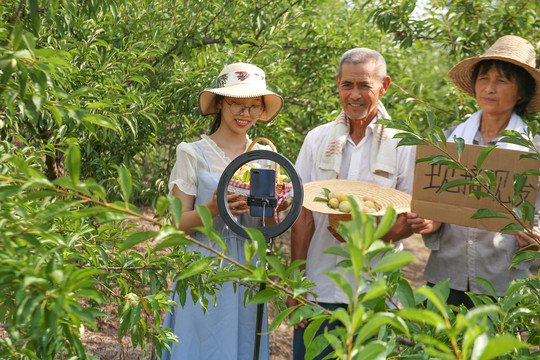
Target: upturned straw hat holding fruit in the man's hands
<point>382,196</point>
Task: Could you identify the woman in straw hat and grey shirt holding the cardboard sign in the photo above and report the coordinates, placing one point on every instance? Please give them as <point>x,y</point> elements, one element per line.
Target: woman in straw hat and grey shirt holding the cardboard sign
<point>506,85</point>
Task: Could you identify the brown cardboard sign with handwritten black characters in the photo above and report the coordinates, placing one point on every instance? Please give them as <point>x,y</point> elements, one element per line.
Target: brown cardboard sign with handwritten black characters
<point>455,205</point>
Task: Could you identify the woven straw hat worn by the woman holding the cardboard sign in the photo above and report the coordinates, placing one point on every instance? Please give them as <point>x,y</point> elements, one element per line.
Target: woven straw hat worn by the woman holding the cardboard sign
<point>510,48</point>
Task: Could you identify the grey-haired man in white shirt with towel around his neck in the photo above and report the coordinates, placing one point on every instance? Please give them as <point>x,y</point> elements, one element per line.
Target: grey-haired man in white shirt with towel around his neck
<point>350,147</point>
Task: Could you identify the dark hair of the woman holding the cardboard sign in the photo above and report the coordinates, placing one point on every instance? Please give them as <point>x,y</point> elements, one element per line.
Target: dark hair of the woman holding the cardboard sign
<point>524,80</point>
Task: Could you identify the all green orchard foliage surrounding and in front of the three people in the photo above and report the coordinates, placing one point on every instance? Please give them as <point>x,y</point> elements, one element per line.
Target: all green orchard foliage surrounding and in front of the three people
<point>97,94</point>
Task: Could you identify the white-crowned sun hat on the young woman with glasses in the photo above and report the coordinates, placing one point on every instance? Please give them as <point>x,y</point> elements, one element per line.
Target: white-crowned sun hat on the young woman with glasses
<point>241,80</point>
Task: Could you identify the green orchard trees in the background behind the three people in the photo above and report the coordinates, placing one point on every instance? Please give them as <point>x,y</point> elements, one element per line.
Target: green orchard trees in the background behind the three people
<point>121,78</point>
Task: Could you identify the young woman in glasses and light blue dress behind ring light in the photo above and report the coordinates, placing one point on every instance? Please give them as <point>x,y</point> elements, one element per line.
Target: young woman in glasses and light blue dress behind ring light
<point>240,99</point>
